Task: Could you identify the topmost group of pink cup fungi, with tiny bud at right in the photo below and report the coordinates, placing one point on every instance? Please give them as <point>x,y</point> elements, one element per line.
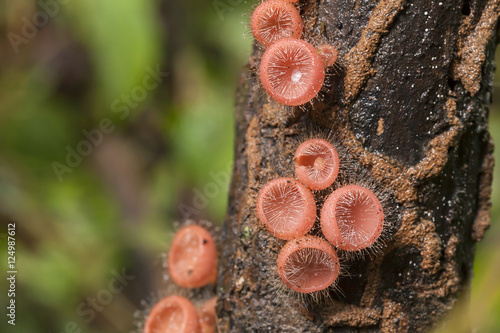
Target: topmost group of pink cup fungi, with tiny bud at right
<point>292,71</point>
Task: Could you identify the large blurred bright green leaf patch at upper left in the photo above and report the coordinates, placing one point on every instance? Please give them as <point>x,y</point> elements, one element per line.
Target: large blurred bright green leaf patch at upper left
<point>123,40</point>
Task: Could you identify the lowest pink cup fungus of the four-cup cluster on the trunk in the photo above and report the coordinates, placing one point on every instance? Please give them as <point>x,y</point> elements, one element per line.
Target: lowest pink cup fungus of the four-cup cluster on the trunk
<point>308,264</point>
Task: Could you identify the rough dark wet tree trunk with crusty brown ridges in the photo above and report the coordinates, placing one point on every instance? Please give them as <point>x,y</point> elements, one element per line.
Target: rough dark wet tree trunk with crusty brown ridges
<point>408,109</point>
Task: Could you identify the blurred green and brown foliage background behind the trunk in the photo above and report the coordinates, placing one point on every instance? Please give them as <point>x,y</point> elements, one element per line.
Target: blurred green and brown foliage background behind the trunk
<point>152,82</point>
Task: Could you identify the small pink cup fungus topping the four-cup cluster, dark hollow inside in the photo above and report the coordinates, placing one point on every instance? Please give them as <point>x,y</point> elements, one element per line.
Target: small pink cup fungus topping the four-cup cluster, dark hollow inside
<point>316,164</point>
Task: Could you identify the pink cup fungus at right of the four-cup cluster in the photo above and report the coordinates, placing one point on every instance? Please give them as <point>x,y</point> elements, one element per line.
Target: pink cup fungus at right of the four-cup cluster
<point>352,218</point>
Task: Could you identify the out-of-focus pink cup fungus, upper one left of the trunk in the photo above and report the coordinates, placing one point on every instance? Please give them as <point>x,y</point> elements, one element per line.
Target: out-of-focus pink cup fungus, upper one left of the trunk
<point>192,259</point>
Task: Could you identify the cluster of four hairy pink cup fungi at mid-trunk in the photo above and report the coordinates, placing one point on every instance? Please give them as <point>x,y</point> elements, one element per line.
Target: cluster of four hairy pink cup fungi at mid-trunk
<point>351,219</point>
